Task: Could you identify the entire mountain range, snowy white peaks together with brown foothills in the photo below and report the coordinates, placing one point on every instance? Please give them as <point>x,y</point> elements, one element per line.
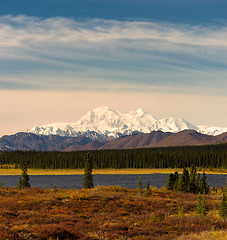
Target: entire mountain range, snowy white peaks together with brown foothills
<point>104,128</point>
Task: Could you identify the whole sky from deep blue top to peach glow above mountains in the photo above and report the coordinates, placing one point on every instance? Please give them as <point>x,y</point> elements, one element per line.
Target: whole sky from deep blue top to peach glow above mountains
<point>166,54</point>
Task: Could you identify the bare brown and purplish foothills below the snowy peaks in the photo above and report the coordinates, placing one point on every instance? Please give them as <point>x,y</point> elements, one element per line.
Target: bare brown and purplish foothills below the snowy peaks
<point>31,141</point>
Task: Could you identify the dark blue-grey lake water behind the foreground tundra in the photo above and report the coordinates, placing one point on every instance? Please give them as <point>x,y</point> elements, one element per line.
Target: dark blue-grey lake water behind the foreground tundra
<point>126,180</point>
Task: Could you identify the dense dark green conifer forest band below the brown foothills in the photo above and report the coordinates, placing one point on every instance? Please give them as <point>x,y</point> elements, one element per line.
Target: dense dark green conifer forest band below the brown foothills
<point>208,156</point>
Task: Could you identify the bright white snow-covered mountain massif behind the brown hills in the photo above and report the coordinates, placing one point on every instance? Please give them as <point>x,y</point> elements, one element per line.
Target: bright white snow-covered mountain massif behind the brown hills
<point>104,123</point>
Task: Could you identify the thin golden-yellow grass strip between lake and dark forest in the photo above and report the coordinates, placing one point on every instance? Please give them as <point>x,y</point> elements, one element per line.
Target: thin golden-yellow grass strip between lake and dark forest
<point>102,171</point>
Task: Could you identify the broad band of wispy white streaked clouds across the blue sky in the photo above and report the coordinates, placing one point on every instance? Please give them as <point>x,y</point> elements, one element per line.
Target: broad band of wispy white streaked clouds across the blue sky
<point>65,53</point>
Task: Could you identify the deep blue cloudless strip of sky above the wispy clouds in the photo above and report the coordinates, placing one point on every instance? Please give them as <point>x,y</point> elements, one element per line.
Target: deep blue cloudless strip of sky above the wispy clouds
<point>178,11</point>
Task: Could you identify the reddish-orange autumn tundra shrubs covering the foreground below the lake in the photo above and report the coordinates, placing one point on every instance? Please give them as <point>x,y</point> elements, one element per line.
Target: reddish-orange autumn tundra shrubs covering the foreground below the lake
<point>106,213</point>
